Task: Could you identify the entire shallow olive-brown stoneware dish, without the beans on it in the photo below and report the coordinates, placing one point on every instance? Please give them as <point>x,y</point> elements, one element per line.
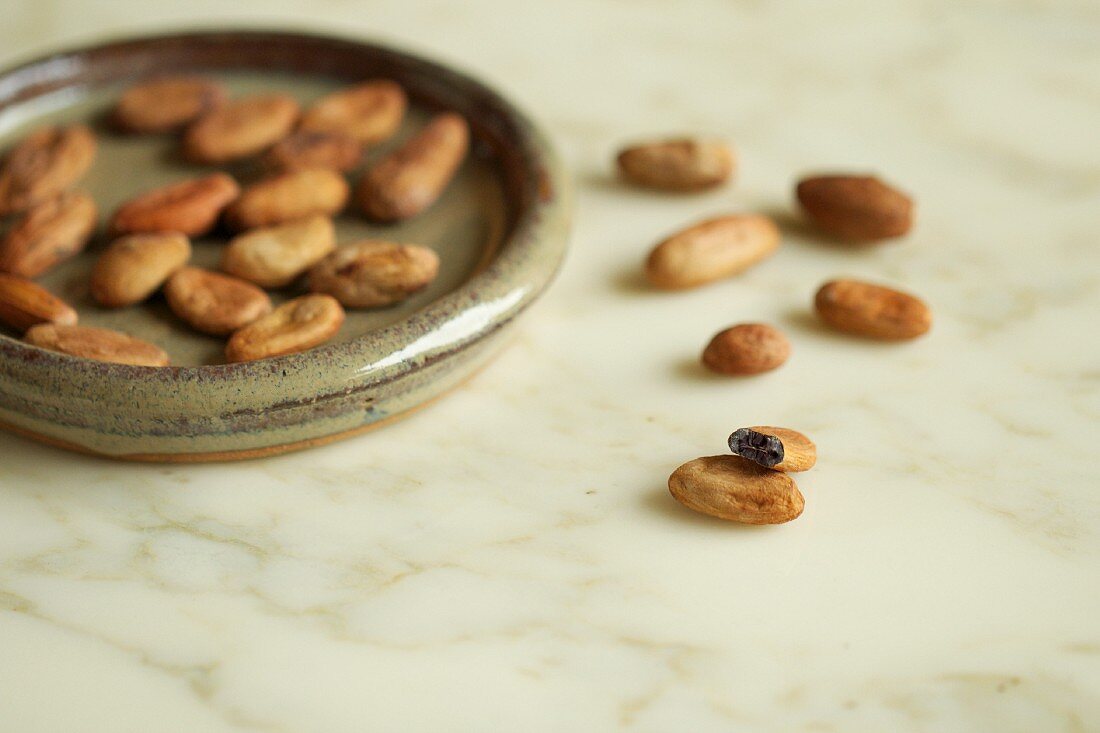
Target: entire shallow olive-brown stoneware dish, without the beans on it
<point>501,231</point>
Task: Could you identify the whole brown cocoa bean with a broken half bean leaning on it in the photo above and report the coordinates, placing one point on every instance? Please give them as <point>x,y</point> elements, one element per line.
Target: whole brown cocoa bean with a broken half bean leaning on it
<point>732,488</point>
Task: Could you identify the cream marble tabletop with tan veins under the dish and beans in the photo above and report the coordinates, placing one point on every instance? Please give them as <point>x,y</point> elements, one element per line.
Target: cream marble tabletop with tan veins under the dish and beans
<point>510,560</point>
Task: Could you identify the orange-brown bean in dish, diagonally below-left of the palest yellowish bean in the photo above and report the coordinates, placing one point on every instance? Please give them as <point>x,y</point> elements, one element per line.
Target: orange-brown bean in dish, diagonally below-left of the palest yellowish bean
<point>213,303</point>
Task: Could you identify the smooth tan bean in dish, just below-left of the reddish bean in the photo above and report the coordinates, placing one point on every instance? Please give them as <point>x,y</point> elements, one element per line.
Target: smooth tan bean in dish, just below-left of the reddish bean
<point>133,268</point>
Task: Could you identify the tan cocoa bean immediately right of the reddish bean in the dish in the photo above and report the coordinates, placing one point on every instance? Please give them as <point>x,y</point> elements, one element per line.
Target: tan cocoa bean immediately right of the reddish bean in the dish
<point>288,198</point>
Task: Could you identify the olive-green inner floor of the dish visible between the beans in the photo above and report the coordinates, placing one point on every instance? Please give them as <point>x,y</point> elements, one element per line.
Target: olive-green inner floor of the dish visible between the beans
<point>466,226</point>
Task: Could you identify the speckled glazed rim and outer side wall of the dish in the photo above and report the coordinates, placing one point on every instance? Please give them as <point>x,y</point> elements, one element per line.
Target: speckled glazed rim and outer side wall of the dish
<point>239,411</point>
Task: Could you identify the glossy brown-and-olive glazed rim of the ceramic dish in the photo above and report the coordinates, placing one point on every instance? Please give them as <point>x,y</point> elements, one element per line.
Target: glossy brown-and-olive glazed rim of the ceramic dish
<point>512,281</point>
